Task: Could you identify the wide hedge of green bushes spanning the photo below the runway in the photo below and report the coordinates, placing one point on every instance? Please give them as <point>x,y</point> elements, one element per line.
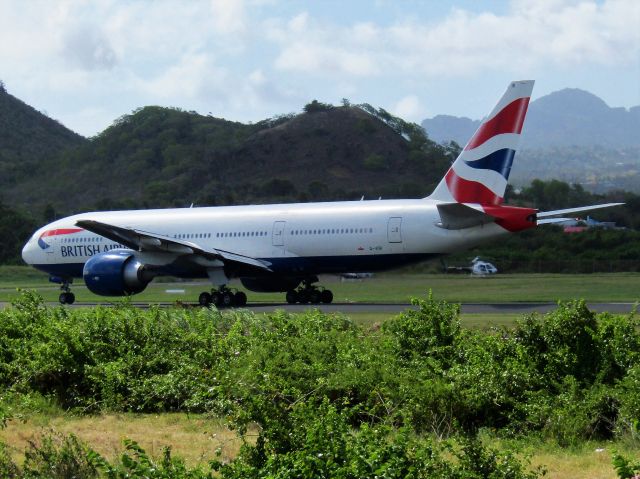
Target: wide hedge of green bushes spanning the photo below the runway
<point>568,375</point>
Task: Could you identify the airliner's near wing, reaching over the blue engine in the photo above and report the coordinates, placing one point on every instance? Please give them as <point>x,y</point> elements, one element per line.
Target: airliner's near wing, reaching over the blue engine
<point>145,241</point>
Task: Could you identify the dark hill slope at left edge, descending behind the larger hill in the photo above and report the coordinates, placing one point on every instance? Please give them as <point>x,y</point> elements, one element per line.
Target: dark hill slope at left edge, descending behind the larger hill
<point>28,139</point>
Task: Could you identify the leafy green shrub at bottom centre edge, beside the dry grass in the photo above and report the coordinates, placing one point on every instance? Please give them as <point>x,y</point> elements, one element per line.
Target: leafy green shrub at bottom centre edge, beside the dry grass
<point>321,443</point>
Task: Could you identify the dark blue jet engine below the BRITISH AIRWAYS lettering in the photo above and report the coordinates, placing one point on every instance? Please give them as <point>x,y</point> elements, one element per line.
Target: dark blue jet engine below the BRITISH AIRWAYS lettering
<point>115,273</point>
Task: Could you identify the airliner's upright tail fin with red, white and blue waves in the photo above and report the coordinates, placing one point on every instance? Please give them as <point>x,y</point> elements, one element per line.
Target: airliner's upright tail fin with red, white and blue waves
<point>480,173</point>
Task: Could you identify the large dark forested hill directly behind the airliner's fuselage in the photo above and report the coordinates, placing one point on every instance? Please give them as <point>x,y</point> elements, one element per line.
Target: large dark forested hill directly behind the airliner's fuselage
<point>158,157</point>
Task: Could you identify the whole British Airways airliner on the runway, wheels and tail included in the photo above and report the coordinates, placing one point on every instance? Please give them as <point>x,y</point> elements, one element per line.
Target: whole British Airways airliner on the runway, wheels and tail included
<point>284,247</point>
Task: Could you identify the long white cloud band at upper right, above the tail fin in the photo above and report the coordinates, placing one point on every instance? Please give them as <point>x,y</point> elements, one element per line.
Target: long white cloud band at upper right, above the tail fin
<point>531,34</point>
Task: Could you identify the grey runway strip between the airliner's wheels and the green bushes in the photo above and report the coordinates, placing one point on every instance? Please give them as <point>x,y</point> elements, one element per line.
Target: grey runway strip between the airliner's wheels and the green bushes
<point>391,308</point>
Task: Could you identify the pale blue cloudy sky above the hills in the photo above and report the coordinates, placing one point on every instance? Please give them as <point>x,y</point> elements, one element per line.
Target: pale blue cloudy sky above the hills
<point>86,63</point>
